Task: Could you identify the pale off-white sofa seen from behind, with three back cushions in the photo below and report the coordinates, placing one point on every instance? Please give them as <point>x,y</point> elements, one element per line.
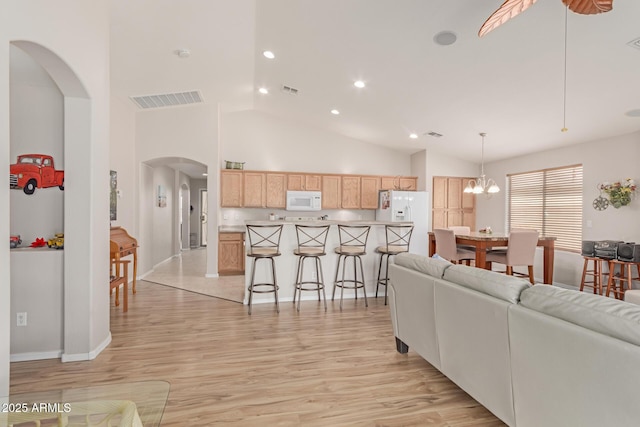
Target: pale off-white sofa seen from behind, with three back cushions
<point>535,356</point>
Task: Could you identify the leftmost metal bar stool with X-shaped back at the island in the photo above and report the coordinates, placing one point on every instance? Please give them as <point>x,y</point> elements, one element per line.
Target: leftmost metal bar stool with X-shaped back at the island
<point>264,244</point>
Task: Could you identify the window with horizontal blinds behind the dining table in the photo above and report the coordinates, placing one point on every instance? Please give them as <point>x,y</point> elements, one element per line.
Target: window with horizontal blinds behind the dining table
<point>549,200</point>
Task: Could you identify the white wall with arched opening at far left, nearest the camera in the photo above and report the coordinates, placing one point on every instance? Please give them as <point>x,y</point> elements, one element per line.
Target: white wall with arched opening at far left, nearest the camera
<point>76,56</point>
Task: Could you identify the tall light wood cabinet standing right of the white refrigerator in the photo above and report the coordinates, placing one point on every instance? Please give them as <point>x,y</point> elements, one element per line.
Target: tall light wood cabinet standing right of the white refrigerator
<point>451,206</point>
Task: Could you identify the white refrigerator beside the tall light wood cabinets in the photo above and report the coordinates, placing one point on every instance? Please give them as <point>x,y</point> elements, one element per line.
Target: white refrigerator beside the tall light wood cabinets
<point>411,206</point>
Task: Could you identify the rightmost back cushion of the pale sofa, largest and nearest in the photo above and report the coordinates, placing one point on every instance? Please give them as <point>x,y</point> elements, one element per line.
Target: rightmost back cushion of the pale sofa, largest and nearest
<point>604,315</point>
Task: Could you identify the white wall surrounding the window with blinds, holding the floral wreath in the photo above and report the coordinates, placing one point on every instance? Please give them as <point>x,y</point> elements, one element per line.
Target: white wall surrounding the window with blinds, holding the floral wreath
<point>603,160</point>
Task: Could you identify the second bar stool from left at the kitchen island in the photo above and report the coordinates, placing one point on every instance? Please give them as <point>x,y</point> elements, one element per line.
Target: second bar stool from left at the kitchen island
<point>311,245</point>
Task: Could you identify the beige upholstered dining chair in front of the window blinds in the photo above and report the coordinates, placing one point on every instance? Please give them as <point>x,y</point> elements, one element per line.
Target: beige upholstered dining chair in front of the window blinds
<point>521,251</point>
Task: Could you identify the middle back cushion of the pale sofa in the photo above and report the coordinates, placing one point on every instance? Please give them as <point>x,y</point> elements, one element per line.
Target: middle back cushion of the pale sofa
<point>502,286</point>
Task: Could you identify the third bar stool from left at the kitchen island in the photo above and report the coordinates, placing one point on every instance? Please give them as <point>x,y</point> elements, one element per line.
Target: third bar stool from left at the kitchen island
<point>353,245</point>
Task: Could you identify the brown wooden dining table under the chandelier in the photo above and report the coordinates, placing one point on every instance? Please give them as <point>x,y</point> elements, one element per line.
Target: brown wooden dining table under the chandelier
<point>482,241</point>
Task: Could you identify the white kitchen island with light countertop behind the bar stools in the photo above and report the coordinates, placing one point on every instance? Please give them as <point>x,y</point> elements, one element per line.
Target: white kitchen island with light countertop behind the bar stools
<point>286,263</point>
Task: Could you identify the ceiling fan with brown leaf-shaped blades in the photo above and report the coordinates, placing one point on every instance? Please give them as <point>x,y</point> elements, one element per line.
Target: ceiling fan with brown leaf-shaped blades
<point>512,8</point>
